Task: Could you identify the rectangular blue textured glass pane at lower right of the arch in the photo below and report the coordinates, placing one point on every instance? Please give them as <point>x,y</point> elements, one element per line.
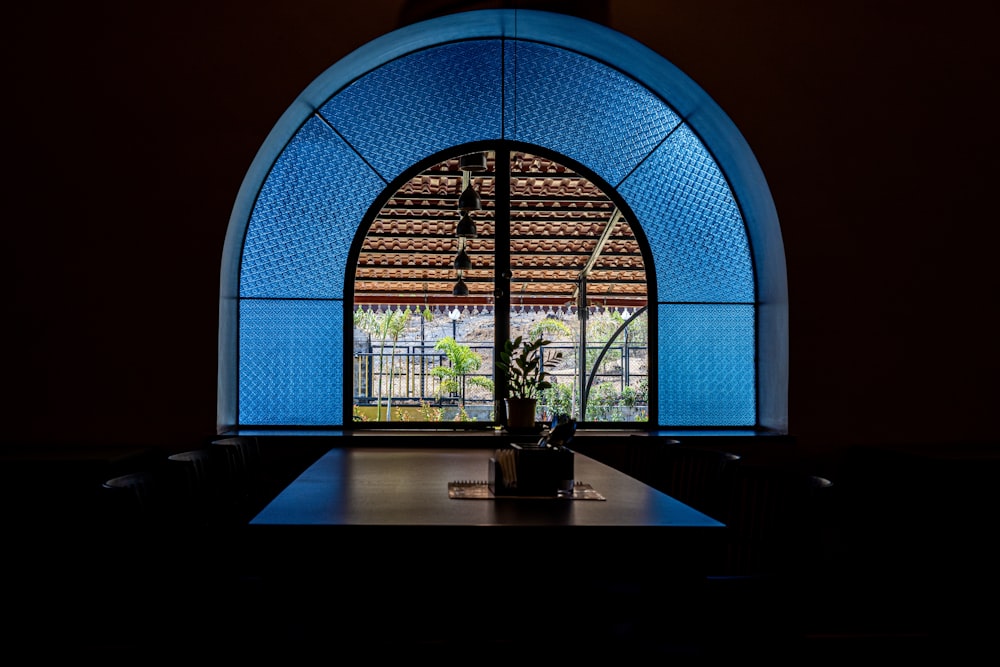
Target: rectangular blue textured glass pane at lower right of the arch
<point>707,373</point>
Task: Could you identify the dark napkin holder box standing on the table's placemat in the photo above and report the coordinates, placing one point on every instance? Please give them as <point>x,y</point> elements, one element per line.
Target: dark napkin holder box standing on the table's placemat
<point>537,471</point>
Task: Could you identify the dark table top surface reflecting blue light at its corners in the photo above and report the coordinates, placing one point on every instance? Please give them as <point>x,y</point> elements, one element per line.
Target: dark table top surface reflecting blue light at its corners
<point>361,486</point>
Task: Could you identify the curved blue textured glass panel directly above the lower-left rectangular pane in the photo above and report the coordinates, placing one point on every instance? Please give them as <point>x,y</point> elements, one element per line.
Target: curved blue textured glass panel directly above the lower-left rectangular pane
<point>305,219</point>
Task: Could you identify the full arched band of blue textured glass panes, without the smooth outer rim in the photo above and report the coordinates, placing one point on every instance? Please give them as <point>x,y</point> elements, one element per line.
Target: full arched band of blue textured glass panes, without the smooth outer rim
<point>291,352</point>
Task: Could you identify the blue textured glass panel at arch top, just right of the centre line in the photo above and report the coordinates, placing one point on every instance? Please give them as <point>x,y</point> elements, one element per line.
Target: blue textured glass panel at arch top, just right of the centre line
<point>582,109</point>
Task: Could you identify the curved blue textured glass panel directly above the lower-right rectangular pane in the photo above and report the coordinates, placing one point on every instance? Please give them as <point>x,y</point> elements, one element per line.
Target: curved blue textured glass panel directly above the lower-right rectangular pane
<point>694,228</point>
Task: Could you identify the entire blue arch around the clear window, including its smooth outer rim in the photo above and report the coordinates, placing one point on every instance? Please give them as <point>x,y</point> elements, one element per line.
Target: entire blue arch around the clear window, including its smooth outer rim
<point>522,82</point>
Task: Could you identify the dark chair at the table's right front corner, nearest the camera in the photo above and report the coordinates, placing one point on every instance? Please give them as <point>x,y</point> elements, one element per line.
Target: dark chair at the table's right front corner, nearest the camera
<point>763,583</point>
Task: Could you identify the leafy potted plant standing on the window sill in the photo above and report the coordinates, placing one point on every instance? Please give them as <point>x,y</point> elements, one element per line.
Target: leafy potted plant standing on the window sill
<point>525,368</point>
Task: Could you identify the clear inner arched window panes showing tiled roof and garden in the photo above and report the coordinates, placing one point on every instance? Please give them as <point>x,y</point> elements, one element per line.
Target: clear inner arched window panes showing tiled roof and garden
<point>425,310</point>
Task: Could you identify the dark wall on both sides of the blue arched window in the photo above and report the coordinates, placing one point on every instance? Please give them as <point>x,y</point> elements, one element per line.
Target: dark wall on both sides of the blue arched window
<point>130,127</point>
